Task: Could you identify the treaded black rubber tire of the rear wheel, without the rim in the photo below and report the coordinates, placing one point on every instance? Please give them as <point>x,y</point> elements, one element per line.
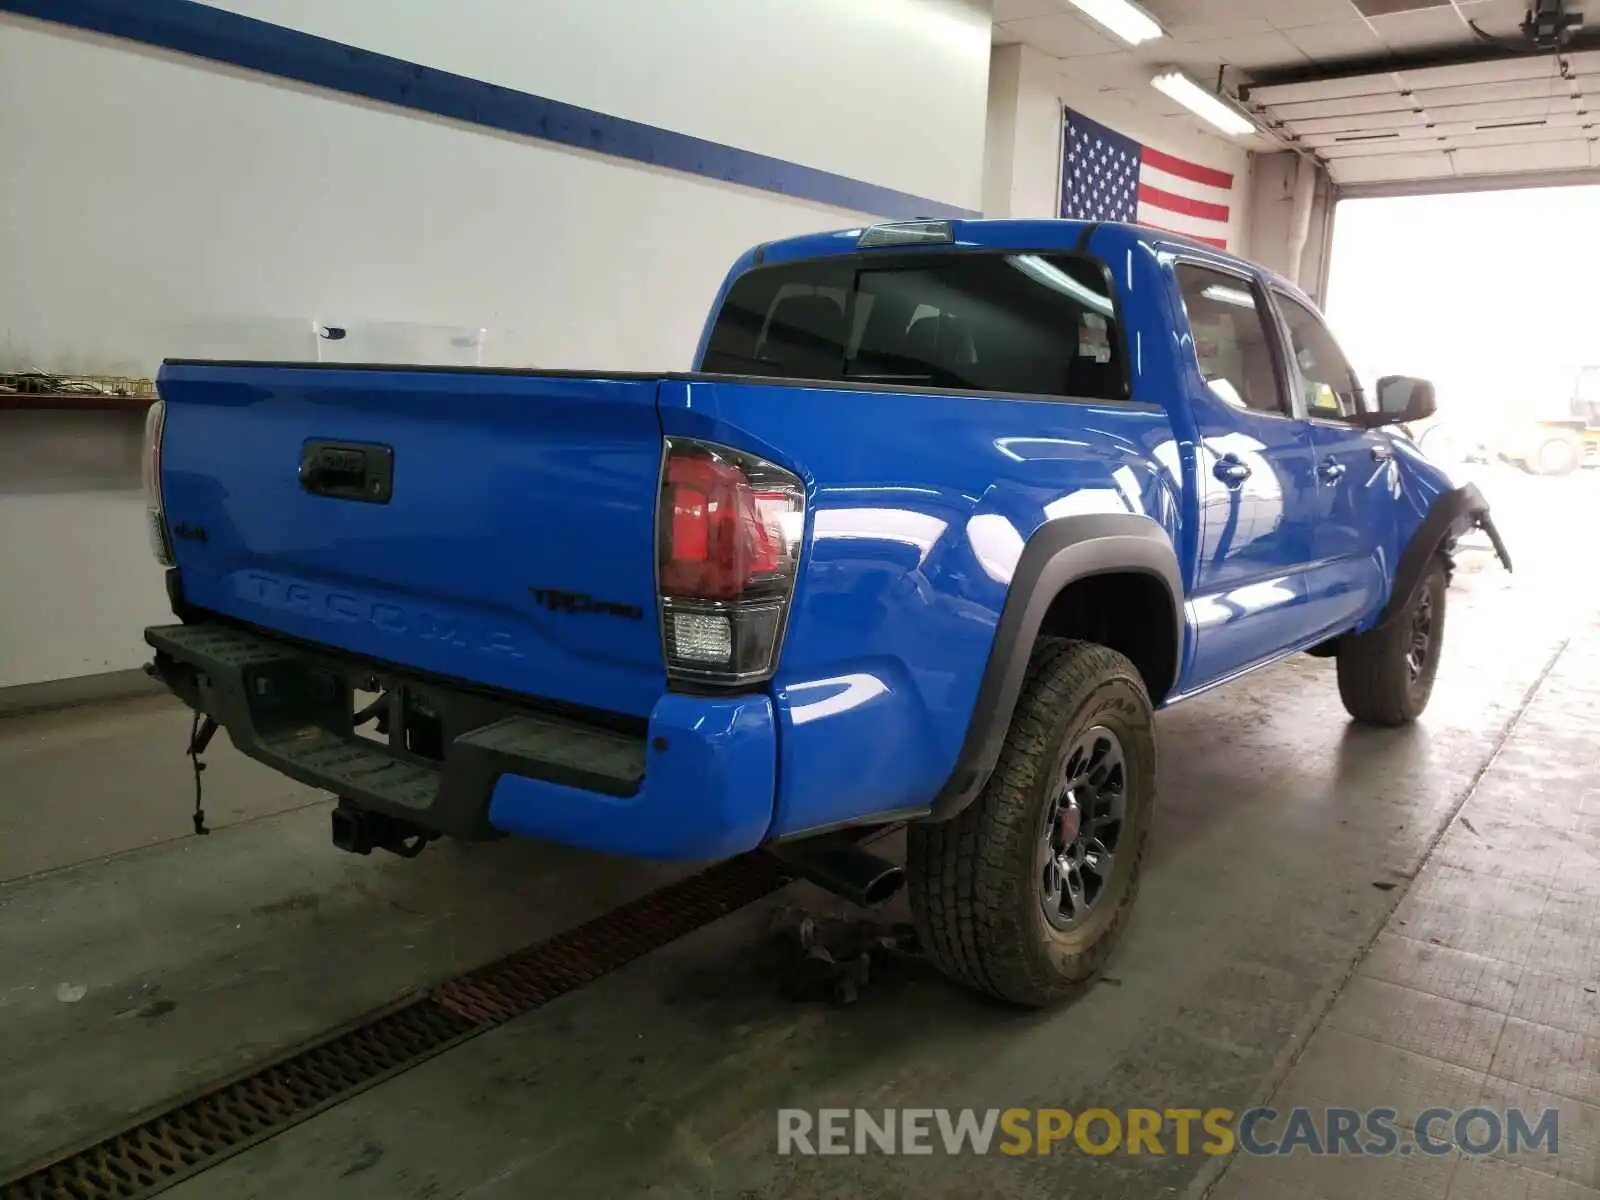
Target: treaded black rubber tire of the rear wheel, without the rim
<point>974,881</point>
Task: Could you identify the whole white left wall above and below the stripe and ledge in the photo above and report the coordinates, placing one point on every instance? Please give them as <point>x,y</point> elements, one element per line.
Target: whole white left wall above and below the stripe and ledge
<point>175,207</point>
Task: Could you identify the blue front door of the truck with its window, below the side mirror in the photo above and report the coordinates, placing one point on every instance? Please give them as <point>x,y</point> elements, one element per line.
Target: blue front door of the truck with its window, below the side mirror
<point>1358,479</point>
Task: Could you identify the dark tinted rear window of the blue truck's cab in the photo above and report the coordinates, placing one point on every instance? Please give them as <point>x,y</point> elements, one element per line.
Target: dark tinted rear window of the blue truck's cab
<point>1014,324</point>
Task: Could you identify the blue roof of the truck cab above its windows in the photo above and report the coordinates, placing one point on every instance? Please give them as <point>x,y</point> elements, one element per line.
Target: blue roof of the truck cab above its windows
<point>1004,234</point>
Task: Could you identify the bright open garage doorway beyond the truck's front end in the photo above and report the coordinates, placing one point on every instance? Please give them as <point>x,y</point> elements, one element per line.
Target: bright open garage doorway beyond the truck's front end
<point>1510,342</point>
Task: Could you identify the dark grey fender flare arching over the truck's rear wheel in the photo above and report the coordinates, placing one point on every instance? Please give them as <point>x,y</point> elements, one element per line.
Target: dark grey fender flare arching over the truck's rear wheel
<point>1058,554</point>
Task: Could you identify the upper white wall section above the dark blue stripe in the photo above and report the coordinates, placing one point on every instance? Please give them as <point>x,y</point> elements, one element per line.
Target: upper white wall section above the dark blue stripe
<point>881,90</point>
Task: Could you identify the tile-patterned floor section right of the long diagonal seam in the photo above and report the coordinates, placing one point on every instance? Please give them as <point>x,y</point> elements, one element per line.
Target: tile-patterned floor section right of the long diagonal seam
<point>1482,988</point>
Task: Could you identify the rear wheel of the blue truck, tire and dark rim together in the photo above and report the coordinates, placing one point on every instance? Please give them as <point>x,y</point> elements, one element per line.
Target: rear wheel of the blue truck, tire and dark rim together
<point>1026,892</point>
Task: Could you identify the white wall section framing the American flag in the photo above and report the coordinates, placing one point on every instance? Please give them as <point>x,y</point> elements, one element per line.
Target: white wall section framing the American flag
<point>1023,161</point>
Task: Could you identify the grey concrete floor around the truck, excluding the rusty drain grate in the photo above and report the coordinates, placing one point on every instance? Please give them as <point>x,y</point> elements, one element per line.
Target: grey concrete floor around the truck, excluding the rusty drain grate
<point>1286,946</point>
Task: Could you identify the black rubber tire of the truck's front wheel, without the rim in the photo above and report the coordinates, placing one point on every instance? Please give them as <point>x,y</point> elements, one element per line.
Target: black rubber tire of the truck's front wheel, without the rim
<point>1375,679</point>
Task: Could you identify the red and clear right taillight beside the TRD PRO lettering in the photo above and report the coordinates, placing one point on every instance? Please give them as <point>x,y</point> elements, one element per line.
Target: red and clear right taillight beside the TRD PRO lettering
<point>729,543</point>
